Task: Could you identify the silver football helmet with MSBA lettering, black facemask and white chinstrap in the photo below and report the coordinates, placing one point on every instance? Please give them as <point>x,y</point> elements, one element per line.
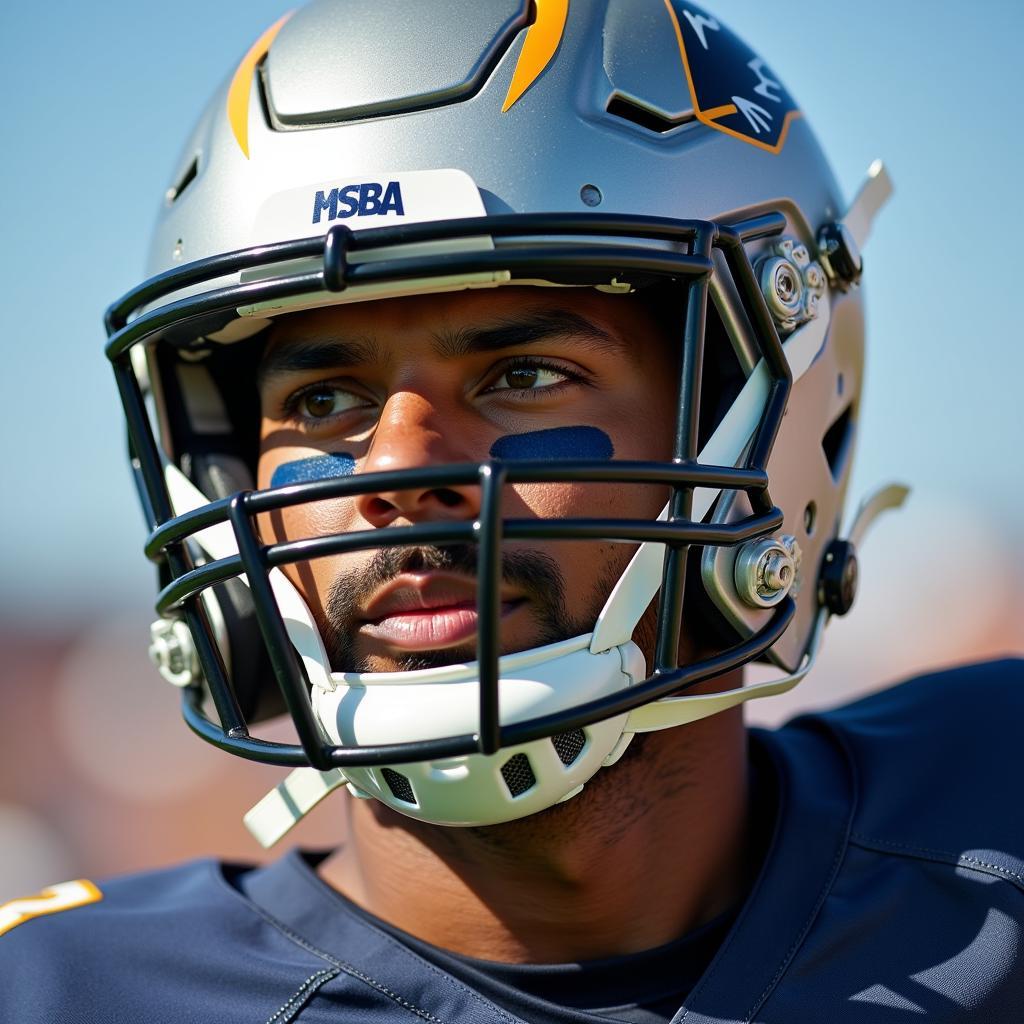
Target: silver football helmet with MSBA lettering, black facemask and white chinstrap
<point>364,151</point>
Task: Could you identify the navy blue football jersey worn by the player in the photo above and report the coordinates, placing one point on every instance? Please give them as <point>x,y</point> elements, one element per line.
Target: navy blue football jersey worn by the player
<point>892,890</point>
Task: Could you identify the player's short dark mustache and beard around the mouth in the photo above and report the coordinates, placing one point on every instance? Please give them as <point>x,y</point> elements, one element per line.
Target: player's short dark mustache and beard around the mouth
<point>536,575</point>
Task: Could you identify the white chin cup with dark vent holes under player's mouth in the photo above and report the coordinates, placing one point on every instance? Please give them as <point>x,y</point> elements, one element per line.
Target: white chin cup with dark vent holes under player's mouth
<point>483,790</point>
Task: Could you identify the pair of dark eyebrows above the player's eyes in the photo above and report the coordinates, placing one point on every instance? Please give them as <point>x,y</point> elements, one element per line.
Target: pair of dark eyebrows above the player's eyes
<point>335,353</point>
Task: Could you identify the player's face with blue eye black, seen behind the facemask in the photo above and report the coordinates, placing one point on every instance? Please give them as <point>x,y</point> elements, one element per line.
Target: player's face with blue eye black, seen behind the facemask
<point>406,383</point>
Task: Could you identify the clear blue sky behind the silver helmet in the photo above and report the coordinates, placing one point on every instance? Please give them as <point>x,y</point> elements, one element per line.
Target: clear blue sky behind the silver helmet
<point>99,101</point>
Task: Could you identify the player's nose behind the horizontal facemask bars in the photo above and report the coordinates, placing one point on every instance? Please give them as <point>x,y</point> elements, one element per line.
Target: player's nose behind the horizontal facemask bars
<point>413,434</point>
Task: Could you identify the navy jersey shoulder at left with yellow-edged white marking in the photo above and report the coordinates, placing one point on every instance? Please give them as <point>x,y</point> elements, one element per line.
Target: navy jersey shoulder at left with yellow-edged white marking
<point>156,947</point>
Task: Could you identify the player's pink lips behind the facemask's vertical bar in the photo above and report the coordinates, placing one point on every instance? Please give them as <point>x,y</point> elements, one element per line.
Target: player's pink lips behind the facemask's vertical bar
<point>426,612</point>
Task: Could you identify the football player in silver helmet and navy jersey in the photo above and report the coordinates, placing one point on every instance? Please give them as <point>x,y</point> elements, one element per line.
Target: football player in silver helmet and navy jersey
<point>492,403</point>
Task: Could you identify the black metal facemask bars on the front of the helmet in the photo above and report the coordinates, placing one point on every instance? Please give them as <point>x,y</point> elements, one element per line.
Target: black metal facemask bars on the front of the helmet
<point>578,262</point>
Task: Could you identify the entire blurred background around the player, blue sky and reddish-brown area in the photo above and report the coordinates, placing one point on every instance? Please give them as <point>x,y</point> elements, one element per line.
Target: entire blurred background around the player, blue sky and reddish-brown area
<point>100,100</point>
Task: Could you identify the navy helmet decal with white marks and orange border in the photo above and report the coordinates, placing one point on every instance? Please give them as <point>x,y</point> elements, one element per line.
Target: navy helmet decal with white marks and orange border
<point>733,90</point>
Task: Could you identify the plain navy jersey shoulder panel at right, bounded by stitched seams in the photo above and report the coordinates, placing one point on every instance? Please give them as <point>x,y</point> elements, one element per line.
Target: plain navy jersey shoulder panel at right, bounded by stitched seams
<point>937,762</point>
